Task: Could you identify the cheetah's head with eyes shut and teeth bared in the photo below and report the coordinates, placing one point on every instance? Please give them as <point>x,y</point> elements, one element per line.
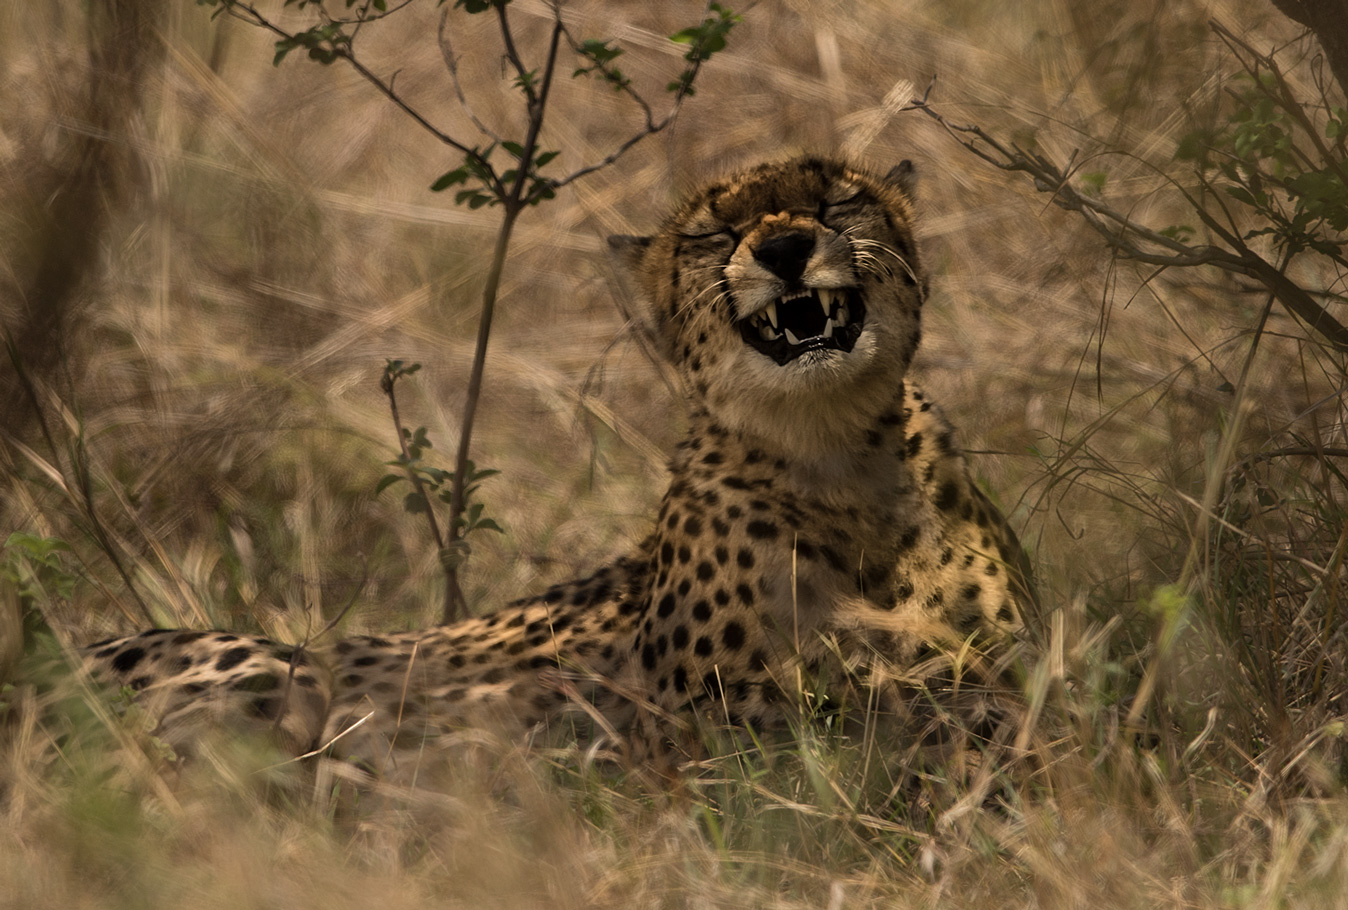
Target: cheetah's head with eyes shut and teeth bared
<point>788,296</point>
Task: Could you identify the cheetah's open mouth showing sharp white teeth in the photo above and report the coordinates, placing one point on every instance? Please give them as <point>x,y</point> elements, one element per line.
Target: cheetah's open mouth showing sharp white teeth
<point>819,319</point>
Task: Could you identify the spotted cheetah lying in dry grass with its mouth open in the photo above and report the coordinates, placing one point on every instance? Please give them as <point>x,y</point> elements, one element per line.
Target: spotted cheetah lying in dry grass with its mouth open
<point>819,510</point>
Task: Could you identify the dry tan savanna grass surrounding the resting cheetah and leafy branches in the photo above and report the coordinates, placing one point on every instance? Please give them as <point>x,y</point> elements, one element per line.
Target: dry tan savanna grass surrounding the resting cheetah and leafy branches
<point>206,262</point>
